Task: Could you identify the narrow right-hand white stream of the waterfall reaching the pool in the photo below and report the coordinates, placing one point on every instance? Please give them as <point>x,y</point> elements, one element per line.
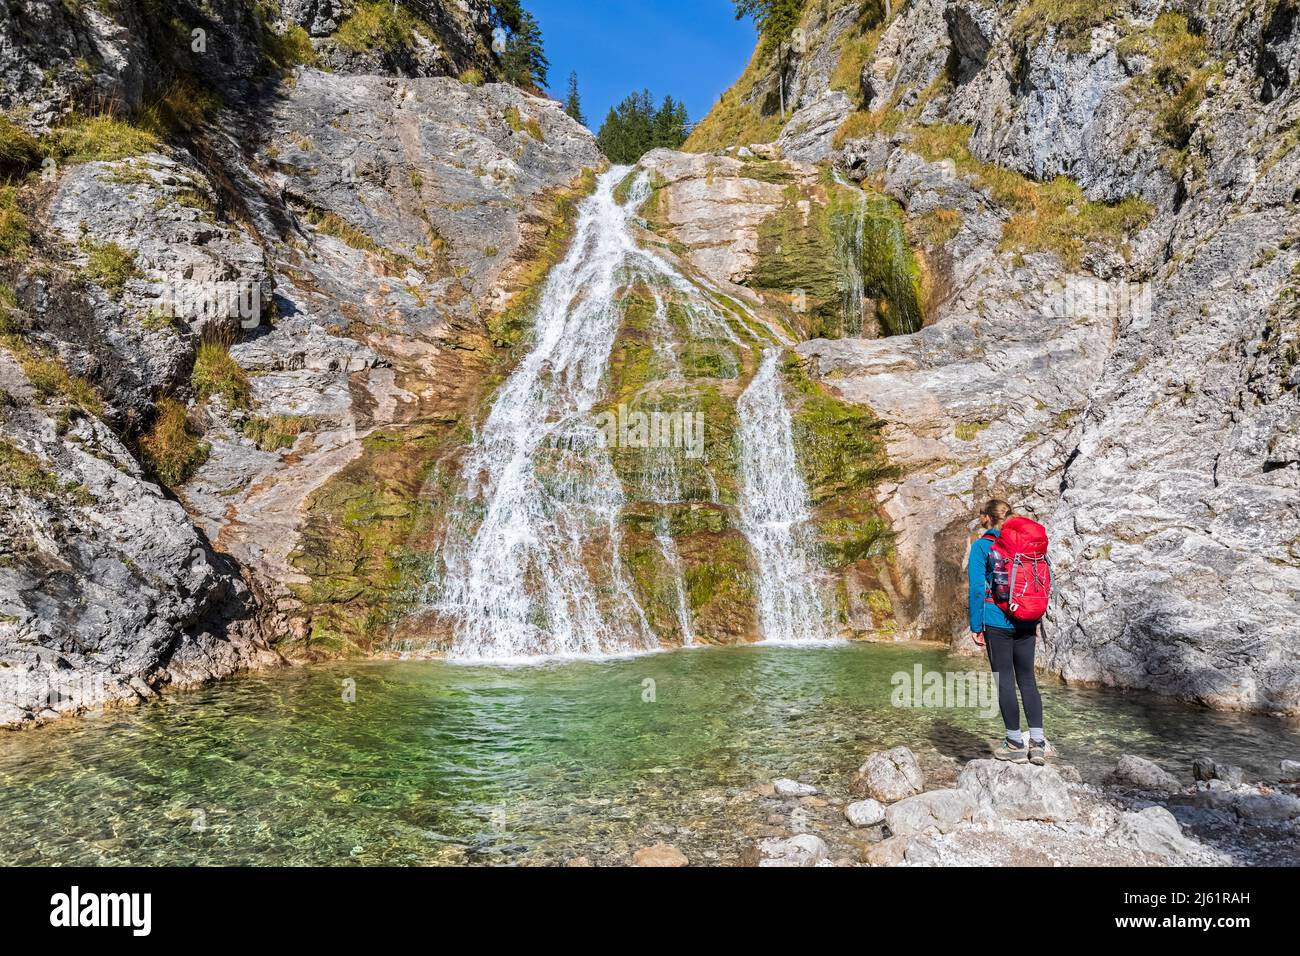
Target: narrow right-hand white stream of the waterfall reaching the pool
<point>775,514</point>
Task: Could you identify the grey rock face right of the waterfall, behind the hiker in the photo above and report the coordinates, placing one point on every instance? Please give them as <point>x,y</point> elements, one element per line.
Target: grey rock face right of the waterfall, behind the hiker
<point>1138,395</point>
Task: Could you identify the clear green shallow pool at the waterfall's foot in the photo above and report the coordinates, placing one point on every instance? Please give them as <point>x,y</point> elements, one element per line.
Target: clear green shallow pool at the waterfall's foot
<point>439,763</point>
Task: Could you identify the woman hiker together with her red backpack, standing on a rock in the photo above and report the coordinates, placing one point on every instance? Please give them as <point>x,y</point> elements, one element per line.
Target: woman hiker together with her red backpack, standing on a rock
<point>1011,581</point>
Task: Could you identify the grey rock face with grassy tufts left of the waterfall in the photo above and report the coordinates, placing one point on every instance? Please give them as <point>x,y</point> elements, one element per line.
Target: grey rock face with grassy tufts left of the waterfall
<point>375,233</point>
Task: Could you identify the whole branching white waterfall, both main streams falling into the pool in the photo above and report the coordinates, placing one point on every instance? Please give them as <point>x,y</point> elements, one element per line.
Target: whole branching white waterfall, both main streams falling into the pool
<point>532,564</point>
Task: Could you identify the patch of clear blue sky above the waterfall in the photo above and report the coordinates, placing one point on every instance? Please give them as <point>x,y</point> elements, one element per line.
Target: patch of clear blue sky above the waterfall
<point>694,50</point>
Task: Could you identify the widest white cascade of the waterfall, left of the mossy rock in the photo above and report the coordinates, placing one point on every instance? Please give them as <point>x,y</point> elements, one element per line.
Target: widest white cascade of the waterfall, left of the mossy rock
<point>541,573</point>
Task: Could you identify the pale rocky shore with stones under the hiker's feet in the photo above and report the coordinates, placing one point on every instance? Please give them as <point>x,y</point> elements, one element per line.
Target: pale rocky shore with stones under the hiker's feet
<point>994,814</point>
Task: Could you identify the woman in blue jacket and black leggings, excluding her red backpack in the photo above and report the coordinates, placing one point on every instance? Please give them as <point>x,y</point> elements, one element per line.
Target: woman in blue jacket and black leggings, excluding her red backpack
<point>1009,646</point>
